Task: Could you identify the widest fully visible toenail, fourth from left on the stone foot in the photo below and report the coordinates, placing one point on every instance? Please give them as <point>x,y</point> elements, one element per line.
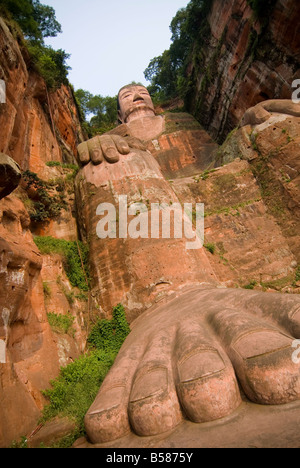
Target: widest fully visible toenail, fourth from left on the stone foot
<point>259,343</point>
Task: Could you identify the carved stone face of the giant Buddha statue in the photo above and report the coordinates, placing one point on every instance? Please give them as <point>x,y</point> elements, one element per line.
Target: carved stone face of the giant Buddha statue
<point>134,102</point>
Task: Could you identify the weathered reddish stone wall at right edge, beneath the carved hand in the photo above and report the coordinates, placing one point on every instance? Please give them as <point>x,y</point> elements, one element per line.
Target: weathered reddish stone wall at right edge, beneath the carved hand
<point>272,150</point>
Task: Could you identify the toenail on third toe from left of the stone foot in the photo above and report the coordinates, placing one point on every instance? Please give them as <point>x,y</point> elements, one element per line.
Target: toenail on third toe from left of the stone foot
<point>200,364</point>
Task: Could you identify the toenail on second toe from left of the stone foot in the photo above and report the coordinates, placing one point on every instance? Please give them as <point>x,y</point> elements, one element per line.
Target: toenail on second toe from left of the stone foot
<point>149,384</point>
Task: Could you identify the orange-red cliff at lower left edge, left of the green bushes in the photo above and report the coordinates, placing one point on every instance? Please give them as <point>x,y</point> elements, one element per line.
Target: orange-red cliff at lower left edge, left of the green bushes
<point>33,353</point>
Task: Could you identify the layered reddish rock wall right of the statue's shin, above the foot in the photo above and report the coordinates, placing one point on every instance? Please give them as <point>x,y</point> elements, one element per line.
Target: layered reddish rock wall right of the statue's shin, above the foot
<point>238,227</point>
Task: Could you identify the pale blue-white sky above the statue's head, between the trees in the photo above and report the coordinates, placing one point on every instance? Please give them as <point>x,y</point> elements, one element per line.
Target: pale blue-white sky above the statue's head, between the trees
<point>111,42</point>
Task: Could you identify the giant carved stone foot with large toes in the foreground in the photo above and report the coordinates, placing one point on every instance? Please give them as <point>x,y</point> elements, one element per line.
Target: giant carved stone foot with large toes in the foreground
<point>186,360</point>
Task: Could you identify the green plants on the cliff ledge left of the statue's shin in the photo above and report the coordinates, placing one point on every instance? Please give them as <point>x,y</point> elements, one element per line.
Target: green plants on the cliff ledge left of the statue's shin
<point>75,258</point>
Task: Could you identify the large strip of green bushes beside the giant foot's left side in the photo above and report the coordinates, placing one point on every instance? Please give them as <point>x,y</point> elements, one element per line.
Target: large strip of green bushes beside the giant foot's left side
<point>75,389</point>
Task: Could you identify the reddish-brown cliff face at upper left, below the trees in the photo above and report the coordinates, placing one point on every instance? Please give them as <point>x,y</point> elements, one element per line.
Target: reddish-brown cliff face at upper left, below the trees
<point>37,126</point>
